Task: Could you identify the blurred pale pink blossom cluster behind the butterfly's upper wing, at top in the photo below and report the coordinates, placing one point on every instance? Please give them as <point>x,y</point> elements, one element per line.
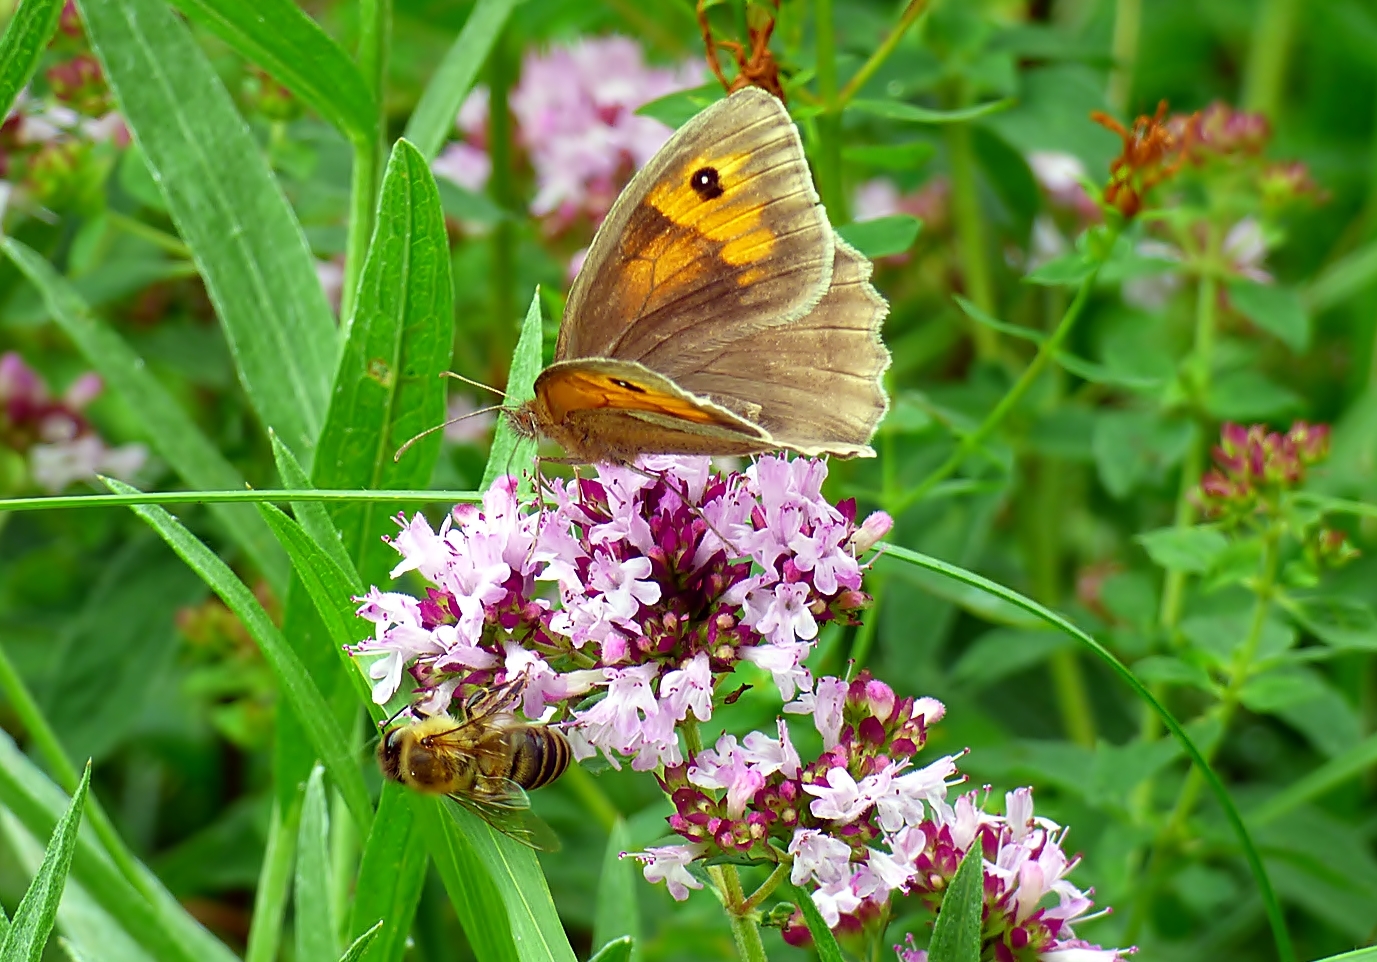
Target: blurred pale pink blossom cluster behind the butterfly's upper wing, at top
<point>576,119</point>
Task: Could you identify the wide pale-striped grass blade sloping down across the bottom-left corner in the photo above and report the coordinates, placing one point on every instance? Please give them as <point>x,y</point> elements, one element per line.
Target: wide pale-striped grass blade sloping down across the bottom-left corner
<point>148,913</point>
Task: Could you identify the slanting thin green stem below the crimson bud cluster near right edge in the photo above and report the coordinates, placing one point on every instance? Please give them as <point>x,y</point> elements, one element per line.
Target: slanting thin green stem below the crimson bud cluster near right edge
<point>1239,674</point>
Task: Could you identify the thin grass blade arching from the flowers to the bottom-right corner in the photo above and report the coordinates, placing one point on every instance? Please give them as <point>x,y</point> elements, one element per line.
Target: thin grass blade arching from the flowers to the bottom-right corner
<point>1236,821</point>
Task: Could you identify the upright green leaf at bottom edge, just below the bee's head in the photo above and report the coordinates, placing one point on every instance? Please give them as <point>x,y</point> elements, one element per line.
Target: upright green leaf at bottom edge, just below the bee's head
<point>392,875</point>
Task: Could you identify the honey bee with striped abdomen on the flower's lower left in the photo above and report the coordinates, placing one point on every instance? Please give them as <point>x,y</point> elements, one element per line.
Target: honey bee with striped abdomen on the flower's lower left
<point>485,760</point>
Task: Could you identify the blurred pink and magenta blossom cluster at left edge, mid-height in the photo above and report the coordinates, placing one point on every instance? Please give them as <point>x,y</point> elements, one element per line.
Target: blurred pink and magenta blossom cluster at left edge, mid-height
<point>60,444</point>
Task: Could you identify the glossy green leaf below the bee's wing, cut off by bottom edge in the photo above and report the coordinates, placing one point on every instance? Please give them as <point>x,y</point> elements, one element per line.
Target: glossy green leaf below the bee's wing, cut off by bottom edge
<point>496,886</point>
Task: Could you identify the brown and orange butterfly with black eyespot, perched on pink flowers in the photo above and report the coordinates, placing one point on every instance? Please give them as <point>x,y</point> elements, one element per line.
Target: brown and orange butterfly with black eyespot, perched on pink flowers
<point>718,312</point>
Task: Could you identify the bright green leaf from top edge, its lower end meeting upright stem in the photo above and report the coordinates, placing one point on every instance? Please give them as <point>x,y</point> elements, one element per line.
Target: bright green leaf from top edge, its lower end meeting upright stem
<point>293,47</point>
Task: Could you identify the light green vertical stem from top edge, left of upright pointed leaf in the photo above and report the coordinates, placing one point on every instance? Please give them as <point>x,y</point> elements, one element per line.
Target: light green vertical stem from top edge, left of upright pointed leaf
<point>374,41</point>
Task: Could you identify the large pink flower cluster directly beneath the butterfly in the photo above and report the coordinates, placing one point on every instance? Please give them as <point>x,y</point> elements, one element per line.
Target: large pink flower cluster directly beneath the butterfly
<point>644,587</point>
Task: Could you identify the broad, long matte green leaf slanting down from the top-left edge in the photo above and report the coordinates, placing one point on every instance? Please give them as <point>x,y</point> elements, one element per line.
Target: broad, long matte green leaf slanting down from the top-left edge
<point>229,209</point>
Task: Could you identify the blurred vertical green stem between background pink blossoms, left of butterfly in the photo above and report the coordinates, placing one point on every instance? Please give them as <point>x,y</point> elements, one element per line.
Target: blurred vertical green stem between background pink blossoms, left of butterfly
<point>502,70</point>
